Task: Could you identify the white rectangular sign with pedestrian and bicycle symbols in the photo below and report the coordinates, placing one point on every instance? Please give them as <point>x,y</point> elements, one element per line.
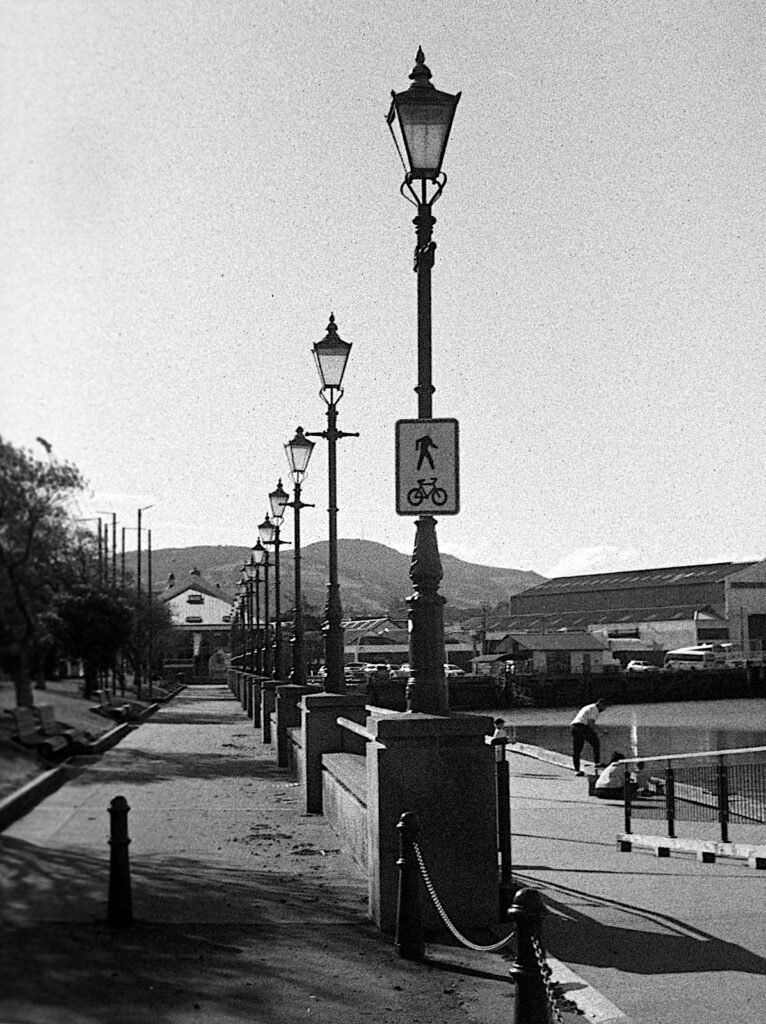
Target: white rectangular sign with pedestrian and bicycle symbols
<point>428,482</point>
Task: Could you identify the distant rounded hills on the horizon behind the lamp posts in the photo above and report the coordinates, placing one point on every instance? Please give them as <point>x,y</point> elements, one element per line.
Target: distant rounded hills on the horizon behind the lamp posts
<point>374,579</point>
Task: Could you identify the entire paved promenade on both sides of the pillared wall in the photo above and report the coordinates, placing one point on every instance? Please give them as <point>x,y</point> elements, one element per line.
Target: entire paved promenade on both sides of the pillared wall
<point>247,910</point>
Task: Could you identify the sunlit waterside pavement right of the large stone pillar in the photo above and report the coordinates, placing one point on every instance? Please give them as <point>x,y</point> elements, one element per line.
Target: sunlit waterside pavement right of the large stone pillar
<point>666,941</point>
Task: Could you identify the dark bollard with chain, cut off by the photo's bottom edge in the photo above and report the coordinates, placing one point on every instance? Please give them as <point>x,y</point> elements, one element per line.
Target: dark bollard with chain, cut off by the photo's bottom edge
<point>531,1002</point>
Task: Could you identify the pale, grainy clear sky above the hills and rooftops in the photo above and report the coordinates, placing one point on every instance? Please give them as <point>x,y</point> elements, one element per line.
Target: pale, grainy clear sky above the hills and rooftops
<point>190,188</point>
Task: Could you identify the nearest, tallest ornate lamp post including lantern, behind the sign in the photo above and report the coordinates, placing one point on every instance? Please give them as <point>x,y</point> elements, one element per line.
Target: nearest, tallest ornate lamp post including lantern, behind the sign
<point>424,116</point>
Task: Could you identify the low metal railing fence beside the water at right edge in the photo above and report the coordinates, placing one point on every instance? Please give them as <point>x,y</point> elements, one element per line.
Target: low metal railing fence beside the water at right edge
<point>724,787</point>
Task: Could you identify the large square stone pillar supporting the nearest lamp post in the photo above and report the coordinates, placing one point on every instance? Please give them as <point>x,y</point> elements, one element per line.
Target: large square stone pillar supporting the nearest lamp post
<point>442,770</point>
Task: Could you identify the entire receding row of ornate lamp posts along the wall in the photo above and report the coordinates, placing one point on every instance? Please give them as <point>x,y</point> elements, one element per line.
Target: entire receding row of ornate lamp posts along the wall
<point>420,119</point>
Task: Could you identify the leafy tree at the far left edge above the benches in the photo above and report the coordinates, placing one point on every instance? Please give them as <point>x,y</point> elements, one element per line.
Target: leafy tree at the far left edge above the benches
<point>37,543</point>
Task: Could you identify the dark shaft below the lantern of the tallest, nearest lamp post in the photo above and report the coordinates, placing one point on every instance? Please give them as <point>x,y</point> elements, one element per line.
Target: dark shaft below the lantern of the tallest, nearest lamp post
<point>427,690</point>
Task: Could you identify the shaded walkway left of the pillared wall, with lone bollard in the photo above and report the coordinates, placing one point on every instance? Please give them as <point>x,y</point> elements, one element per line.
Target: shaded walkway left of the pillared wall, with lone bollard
<point>246,909</point>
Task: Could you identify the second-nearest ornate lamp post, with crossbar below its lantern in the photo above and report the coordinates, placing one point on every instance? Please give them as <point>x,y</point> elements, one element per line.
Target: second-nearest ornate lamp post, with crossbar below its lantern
<point>331,356</point>
